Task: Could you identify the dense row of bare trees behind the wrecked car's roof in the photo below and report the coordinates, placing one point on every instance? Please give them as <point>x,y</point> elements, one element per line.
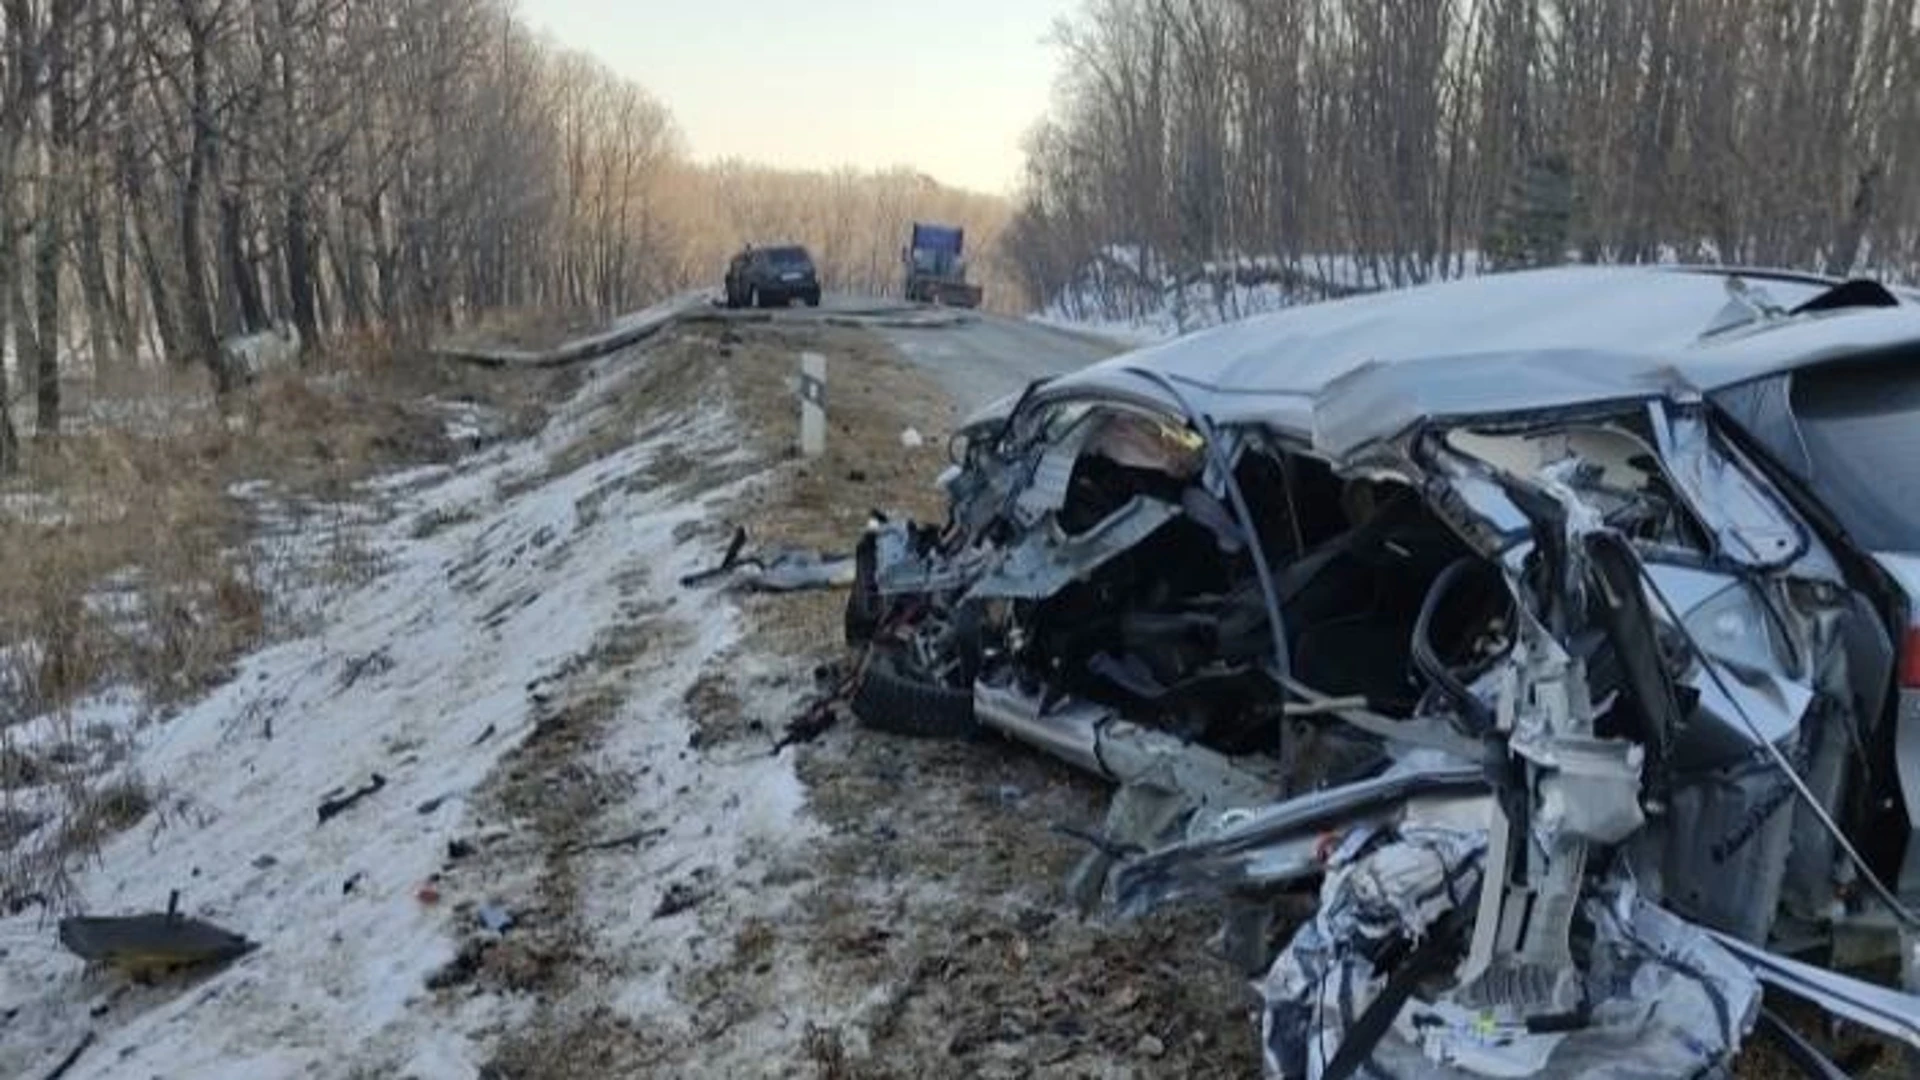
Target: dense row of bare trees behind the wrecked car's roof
<point>1364,143</point>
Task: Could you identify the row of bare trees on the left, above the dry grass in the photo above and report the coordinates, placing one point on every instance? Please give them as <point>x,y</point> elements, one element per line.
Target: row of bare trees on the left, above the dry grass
<point>180,172</point>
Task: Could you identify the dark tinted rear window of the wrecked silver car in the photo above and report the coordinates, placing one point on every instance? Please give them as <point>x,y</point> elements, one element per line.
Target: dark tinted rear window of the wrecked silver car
<point>1861,426</point>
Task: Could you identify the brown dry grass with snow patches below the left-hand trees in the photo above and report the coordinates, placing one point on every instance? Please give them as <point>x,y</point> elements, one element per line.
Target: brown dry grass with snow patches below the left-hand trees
<point>133,564</point>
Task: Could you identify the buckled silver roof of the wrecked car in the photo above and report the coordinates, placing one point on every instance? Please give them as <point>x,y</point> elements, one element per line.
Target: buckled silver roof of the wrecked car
<point>1356,372</point>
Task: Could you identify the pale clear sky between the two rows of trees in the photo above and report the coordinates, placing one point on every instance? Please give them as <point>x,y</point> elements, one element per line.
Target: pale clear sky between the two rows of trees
<point>948,87</point>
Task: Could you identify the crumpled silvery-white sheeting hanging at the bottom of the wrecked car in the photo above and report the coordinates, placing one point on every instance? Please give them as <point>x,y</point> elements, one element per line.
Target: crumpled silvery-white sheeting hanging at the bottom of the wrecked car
<point>1660,998</point>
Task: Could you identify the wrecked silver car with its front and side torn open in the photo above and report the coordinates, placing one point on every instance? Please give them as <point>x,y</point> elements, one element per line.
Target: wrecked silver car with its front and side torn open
<point>1524,620</point>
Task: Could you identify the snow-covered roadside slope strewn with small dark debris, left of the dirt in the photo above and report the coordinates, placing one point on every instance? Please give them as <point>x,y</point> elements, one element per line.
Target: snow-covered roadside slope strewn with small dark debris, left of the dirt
<point>496,579</point>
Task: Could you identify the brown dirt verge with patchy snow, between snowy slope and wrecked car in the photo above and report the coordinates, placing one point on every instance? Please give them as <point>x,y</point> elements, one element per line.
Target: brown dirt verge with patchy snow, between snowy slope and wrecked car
<point>909,918</point>
